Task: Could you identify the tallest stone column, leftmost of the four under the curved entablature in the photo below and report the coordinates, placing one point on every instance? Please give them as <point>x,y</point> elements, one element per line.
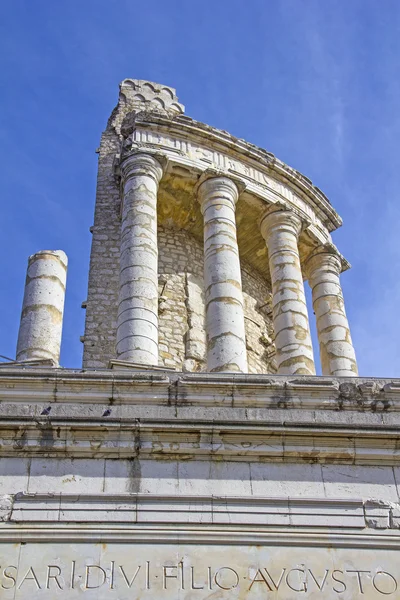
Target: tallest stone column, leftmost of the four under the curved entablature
<point>137,323</point>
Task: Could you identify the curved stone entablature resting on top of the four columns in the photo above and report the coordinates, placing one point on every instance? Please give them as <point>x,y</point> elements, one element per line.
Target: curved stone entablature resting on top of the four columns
<point>264,174</point>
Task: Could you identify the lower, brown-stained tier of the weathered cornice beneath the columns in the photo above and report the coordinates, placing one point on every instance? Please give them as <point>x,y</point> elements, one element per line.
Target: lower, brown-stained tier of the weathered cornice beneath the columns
<point>170,438</point>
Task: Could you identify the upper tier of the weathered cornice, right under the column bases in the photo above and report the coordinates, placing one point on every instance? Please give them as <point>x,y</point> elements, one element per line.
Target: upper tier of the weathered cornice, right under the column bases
<point>127,386</point>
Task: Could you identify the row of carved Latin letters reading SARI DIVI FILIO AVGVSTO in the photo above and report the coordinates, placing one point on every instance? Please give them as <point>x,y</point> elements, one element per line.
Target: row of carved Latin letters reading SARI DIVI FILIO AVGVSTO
<point>178,577</point>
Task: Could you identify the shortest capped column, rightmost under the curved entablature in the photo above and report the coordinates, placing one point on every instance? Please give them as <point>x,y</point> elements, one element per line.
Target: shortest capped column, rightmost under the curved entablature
<point>337,354</point>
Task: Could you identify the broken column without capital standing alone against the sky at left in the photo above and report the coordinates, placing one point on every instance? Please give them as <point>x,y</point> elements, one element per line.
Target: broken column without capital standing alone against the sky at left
<point>43,307</point>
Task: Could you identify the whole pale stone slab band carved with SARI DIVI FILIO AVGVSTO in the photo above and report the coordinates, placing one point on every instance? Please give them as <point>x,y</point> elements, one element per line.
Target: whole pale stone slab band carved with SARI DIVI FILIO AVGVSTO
<point>143,571</point>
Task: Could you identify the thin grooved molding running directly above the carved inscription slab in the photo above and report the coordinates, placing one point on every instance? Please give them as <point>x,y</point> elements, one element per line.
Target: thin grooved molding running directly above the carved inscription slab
<point>197,535</point>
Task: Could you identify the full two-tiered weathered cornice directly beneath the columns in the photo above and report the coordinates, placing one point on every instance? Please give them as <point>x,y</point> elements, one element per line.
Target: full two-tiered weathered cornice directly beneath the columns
<point>176,416</point>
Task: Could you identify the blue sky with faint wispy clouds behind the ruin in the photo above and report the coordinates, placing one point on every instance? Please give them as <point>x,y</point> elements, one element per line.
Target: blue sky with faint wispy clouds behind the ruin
<point>316,82</point>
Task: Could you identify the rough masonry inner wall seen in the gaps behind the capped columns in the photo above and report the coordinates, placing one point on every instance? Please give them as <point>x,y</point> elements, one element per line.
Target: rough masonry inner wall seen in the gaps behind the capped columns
<point>181,269</point>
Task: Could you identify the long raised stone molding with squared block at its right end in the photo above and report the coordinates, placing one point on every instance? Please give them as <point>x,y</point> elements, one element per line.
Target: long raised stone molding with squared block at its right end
<point>205,510</point>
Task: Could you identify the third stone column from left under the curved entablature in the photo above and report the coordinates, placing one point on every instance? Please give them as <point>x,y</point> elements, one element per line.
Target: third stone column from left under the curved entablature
<point>294,353</point>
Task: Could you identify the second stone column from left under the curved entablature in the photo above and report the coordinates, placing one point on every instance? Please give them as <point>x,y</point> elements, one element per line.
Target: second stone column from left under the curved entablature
<point>225,333</point>
